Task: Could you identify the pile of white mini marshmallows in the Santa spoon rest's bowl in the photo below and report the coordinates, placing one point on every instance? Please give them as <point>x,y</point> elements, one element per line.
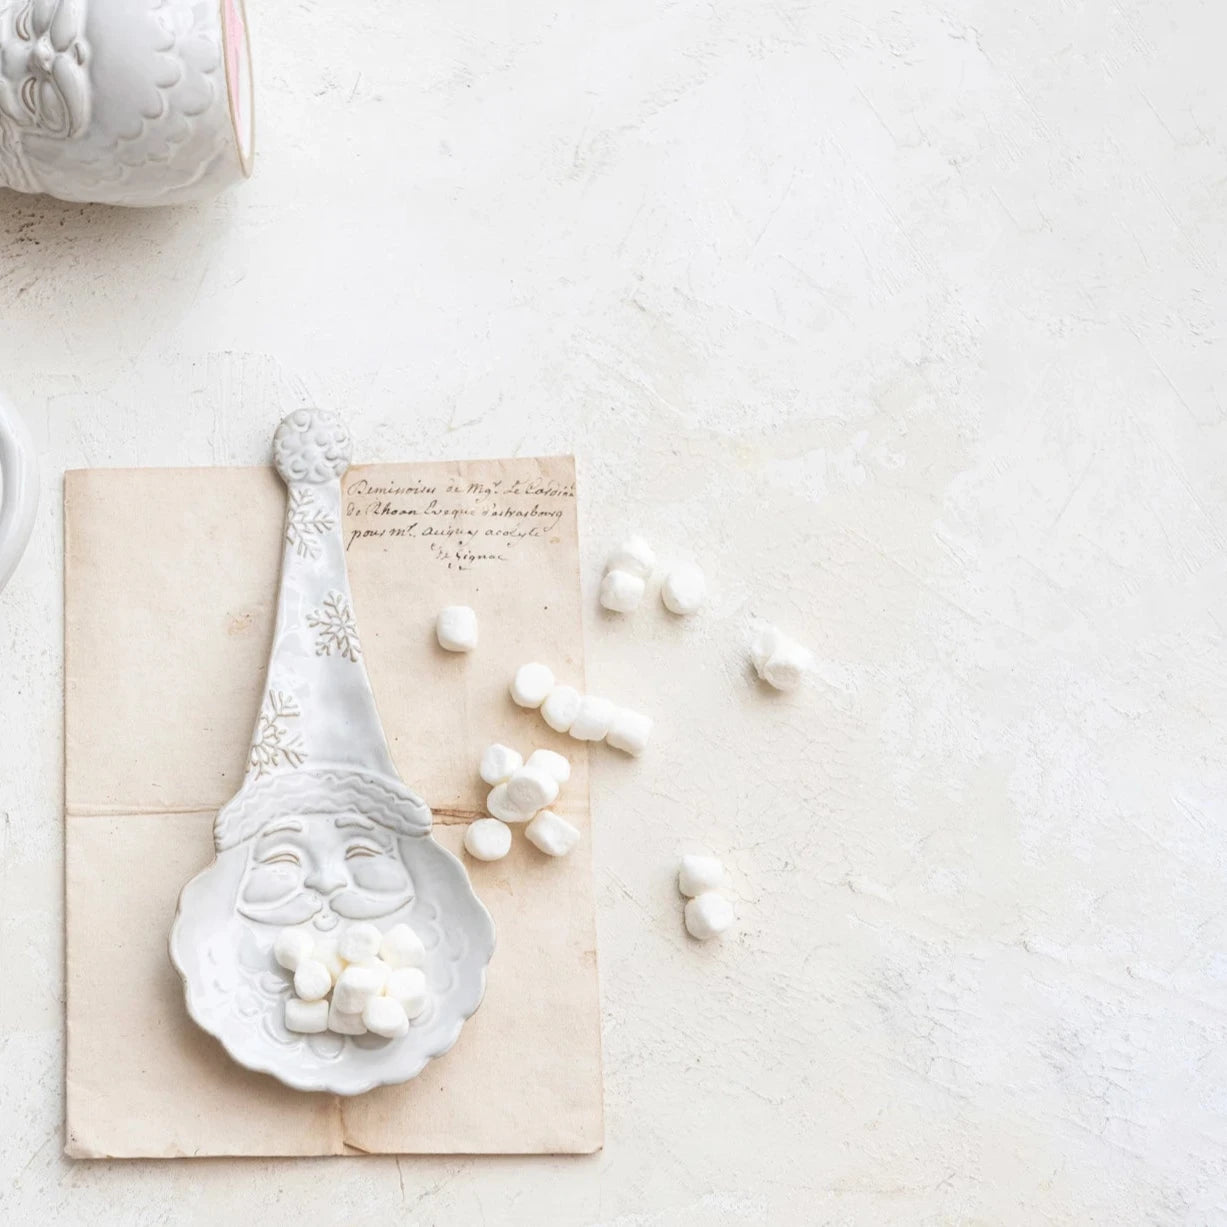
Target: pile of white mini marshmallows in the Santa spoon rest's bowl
<point>376,980</point>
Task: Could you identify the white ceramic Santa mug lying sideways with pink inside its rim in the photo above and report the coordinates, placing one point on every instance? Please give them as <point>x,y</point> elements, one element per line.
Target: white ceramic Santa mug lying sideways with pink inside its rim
<point>125,102</point>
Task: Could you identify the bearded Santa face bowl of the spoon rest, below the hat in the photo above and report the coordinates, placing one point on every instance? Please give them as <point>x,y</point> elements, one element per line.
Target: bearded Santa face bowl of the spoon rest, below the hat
<point>307,868</point>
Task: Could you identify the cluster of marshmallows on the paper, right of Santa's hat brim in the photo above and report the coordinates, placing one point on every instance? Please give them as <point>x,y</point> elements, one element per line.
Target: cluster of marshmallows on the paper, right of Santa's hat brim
<point>522,792</point>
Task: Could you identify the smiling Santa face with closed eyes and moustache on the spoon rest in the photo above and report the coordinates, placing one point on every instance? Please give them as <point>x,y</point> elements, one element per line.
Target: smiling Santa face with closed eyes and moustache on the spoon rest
<point>323,868</point>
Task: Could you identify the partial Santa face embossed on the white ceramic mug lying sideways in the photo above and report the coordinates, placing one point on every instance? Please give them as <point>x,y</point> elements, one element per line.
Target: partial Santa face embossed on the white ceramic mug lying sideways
<point>45,75</point>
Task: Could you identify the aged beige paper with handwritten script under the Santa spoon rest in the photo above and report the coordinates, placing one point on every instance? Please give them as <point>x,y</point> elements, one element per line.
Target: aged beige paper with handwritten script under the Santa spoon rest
<point>171,580</point>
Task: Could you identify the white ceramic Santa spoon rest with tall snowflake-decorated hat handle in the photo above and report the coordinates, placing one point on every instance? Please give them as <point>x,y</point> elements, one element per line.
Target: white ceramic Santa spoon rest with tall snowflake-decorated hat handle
<point>323,835</point>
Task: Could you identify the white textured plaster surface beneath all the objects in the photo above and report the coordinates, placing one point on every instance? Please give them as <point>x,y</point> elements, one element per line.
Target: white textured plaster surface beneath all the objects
<point>905,320</point>
